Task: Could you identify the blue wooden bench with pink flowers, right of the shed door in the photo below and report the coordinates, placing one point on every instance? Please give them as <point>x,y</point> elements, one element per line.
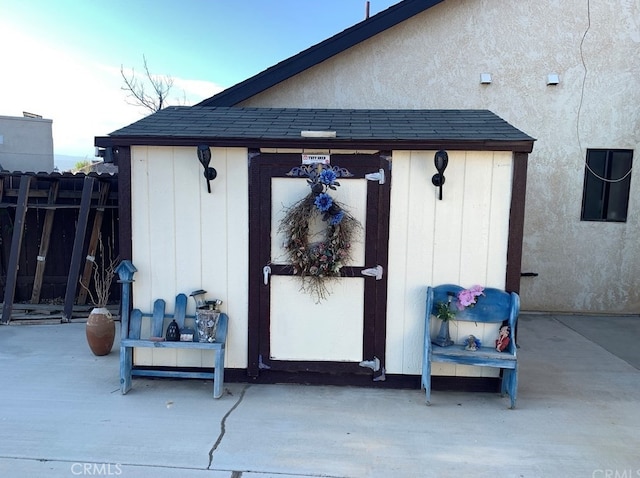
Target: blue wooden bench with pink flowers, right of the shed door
<point>496,306</point>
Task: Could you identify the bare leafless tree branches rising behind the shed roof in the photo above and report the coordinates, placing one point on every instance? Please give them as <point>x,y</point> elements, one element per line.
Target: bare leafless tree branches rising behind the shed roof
<point>139,94</point>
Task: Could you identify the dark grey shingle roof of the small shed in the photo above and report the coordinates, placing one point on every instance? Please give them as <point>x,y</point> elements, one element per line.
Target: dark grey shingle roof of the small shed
<point>263,127</point>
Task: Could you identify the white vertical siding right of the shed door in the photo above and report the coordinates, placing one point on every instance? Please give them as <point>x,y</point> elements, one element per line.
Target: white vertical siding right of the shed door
<point>461,239</point>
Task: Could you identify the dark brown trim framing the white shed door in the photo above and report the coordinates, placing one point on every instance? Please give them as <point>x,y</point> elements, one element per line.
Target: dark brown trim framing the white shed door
<point>261,170</point>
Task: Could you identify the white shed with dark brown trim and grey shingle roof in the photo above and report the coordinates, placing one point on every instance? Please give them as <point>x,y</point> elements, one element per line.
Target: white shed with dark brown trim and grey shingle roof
<point>229,241</point>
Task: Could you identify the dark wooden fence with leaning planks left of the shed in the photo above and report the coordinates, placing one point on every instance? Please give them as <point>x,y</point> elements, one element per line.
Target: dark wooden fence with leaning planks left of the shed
<point>51,229</point>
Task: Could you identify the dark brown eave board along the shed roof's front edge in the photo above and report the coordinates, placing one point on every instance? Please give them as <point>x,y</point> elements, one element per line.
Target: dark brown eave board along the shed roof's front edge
<point>521,146</point>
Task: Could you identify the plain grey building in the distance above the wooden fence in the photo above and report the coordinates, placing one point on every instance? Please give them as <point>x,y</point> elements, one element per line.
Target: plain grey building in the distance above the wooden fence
<point>26,144</point>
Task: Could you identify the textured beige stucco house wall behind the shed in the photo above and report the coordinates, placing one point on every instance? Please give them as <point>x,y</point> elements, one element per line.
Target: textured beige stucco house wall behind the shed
<point>435,59</point>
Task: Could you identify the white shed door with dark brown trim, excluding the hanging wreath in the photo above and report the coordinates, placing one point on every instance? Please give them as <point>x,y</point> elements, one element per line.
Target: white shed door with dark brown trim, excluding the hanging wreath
<point>291,330</point>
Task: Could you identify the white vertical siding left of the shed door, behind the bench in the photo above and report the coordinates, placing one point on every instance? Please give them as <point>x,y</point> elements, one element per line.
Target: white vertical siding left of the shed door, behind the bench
<point>186,239</point>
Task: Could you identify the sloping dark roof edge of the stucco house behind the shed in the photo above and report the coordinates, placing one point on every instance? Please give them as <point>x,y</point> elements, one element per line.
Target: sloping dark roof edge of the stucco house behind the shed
<point>320,52</point>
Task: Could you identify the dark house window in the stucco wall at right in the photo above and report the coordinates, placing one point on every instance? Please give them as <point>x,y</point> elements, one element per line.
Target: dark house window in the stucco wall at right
<point>607,178</point>
